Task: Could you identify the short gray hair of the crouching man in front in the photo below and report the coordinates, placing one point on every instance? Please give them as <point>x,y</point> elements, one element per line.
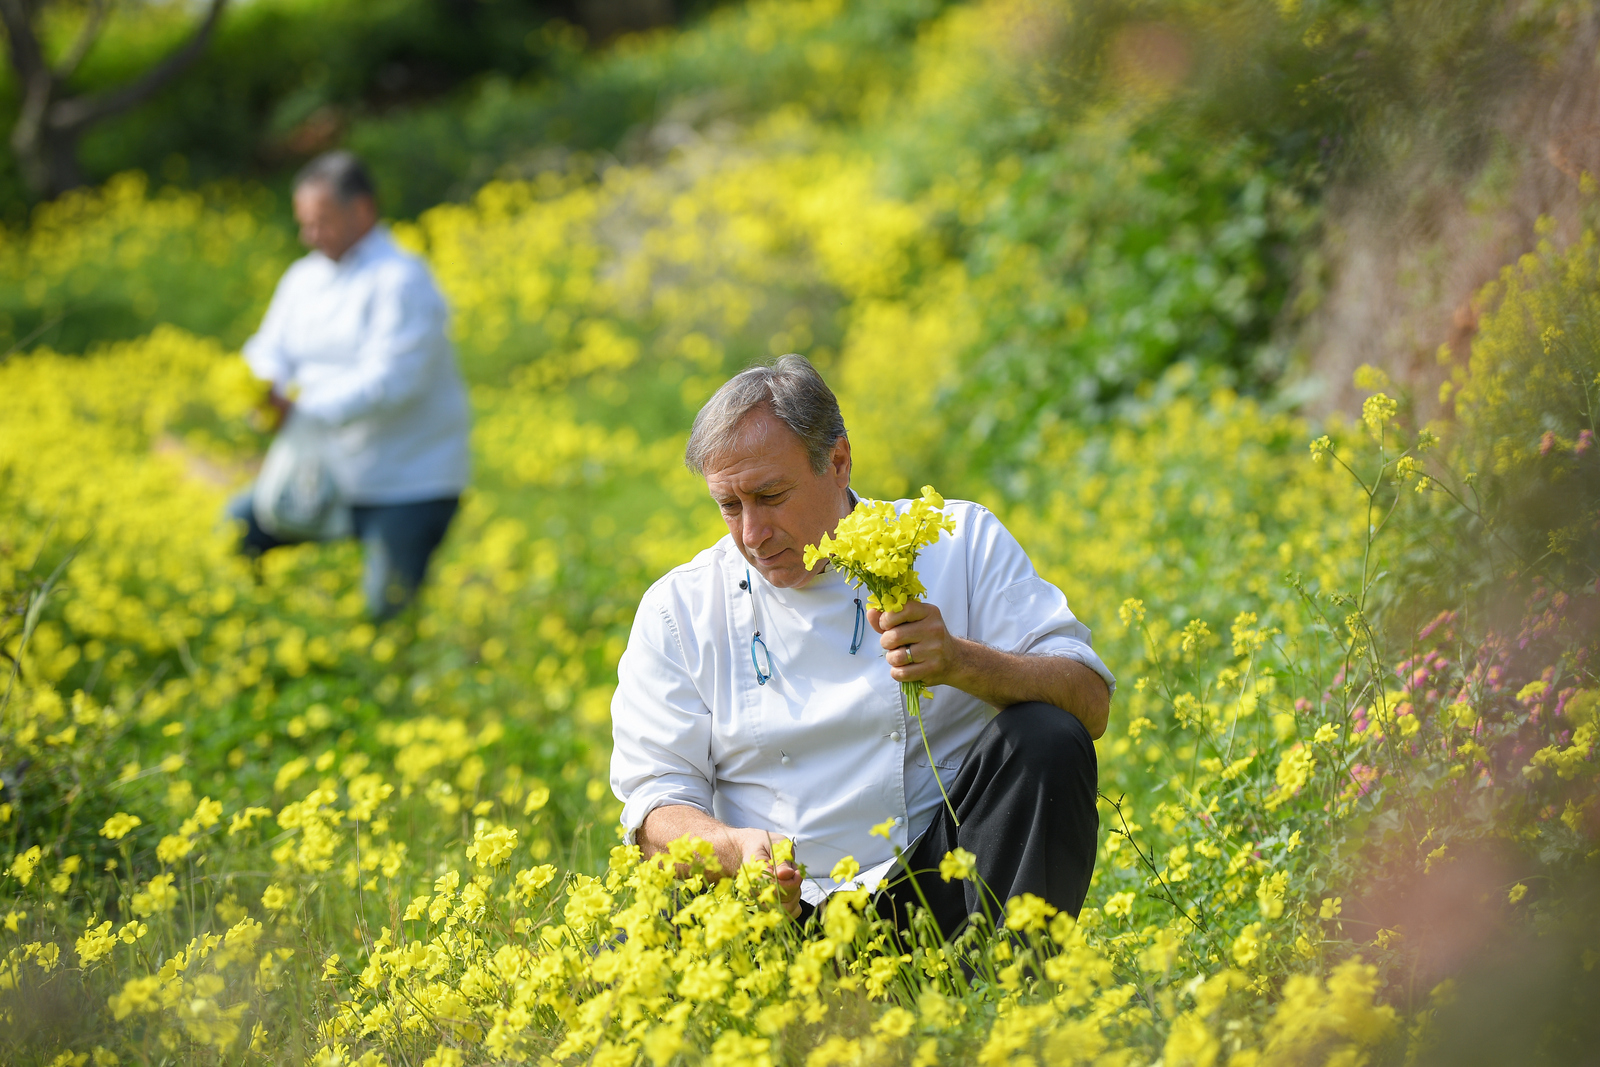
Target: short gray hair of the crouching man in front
<point>791,390</point>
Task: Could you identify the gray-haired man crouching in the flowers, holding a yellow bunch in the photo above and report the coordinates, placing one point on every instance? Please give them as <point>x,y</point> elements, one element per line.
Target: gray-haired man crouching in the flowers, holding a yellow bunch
<point>753,714</point>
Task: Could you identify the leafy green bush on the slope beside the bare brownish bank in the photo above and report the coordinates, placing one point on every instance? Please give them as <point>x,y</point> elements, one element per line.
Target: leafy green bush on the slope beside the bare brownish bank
<point>1106,260</point>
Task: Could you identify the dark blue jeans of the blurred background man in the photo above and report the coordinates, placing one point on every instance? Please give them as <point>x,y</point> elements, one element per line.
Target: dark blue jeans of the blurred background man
<point>398,541</point>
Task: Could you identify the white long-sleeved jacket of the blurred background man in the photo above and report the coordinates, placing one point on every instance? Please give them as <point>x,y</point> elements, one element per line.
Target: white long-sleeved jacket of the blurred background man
<point>364,342</point>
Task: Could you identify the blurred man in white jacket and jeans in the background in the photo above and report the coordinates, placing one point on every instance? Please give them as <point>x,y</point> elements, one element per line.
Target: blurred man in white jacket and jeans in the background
<point>354,346</point>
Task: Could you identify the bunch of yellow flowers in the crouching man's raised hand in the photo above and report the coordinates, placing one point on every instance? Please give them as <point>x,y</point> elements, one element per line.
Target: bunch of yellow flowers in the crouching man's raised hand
<point>878,548</point>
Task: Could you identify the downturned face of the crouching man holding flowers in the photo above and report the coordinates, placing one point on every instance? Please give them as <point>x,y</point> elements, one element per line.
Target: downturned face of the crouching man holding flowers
<point>774,503</point>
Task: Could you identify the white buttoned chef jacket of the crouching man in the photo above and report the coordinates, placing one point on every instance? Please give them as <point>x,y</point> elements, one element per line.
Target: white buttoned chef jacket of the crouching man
<point>825,751</point>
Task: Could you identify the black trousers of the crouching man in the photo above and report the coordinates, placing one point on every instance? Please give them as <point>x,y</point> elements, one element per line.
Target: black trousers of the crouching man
<point>1026,804</point>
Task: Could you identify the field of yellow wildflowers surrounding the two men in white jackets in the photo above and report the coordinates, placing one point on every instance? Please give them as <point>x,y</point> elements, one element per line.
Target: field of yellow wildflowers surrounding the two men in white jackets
<point>242,825</point>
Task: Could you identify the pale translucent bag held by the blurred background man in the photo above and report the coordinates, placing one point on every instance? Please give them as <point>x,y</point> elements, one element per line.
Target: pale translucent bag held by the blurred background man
<point>297,497</point>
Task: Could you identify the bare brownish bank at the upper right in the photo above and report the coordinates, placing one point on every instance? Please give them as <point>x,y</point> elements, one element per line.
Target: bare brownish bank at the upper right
<point>1406,254</point>
